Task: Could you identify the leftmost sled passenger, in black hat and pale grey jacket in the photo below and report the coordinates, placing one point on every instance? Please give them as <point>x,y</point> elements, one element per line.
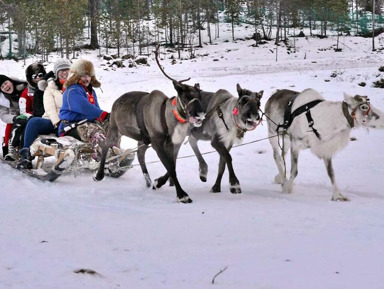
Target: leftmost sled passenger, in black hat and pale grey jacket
<point>10,91</point>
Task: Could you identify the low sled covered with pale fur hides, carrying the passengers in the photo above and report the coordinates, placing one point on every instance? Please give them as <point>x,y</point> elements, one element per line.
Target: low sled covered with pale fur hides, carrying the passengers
<point>54,156</point>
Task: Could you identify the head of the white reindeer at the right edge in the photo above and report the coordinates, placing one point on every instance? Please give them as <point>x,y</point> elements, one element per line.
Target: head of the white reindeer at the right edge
<point>363,113</point>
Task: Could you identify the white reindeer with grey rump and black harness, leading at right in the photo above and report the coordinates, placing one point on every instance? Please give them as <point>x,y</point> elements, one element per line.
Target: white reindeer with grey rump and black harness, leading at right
<point>310,121</point>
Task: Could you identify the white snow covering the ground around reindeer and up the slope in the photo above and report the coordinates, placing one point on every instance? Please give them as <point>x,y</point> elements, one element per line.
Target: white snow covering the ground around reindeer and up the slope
<point>134,237</point>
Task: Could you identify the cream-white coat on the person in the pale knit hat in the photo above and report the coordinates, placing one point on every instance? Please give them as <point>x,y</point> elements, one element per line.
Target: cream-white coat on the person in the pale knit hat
<point>53,100</point>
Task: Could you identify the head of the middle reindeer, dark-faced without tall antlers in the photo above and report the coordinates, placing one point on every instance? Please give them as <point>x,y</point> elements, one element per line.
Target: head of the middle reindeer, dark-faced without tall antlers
<point>247,108</point>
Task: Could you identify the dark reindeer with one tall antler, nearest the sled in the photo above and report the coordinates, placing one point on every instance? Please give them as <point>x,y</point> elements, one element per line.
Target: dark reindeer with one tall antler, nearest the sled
<point>153,118</point>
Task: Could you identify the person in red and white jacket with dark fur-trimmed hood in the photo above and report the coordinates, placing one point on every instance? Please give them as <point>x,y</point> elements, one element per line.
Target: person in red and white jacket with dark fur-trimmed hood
<point>34,73</point>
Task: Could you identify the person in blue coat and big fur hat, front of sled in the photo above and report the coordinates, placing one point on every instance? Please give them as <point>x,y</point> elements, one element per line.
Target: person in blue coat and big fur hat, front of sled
<point>81,116</point>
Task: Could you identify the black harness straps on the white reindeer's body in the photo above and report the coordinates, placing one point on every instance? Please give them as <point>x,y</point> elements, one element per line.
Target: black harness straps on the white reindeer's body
<point>289,115</point>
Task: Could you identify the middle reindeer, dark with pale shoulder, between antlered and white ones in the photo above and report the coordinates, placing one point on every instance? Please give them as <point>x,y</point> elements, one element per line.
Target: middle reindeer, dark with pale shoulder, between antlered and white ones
<point>227,120</point>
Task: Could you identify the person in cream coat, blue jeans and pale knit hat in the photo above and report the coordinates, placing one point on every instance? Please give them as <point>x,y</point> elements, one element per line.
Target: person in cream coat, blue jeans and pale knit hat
<point>52,86</point>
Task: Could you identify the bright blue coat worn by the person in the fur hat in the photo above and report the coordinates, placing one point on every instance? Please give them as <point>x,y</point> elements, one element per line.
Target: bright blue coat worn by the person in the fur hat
<point>78,105</point>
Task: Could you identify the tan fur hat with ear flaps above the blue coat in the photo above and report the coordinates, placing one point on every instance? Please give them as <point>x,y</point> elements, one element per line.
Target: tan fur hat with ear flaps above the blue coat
<point>80,68</point>
